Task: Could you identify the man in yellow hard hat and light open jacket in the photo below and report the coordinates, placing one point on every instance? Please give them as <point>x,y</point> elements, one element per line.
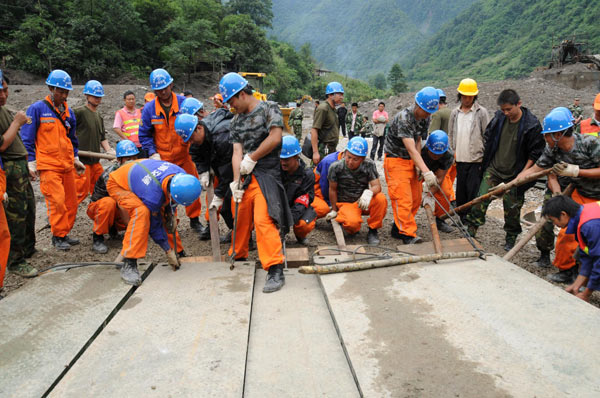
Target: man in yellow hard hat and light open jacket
<point>466,127</point>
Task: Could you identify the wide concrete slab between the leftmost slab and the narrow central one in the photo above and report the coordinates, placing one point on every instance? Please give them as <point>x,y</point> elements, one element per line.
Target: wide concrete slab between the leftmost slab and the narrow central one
<point>182,333</point>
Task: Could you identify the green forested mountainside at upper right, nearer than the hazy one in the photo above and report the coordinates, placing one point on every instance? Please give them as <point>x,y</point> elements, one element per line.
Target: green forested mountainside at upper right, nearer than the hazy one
<point>496,39</point>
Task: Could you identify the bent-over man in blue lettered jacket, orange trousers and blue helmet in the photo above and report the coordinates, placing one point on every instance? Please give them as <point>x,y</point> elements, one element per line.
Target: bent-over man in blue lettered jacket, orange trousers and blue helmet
<point>149,191</point>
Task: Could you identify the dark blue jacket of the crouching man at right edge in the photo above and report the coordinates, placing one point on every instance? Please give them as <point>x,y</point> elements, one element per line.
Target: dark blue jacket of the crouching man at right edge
<point>590,262</point>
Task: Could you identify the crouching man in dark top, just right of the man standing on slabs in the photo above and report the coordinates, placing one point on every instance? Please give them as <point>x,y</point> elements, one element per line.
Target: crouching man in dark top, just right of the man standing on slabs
<point>299,182</point>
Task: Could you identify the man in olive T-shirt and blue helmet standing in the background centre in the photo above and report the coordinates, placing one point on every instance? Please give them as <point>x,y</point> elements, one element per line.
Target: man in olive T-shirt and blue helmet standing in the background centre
<point>325,131</point>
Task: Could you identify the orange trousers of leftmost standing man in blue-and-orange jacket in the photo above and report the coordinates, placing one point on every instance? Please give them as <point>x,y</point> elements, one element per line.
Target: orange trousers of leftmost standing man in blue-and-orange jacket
<point>58,187</point>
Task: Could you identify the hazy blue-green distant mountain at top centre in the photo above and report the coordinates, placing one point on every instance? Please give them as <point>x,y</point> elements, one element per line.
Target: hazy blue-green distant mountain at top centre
<point>361,38</point>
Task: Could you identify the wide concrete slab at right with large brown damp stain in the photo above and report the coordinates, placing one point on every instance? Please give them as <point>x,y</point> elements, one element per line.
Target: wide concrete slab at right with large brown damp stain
<point>470,329</point>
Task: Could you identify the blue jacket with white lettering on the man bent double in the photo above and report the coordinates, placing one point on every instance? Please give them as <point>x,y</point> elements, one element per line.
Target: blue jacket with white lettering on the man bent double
<point>150,192</point>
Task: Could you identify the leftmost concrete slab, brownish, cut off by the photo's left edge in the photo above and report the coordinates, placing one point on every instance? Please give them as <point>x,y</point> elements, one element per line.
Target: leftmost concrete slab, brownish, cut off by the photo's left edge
<point>46,323</point>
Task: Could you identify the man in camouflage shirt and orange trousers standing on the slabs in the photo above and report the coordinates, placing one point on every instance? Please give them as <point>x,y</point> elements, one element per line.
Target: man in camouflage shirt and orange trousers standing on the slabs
<point>256,131</point>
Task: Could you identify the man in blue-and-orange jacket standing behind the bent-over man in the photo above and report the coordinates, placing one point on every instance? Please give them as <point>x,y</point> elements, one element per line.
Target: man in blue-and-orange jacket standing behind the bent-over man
<point>158,137</point>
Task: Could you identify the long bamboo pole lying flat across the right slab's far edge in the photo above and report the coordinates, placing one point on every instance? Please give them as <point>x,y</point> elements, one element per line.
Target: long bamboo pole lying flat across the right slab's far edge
<point>397,260</point>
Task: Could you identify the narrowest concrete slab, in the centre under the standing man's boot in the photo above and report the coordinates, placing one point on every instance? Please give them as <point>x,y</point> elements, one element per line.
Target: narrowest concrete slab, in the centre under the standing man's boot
<point>294,350</point>
